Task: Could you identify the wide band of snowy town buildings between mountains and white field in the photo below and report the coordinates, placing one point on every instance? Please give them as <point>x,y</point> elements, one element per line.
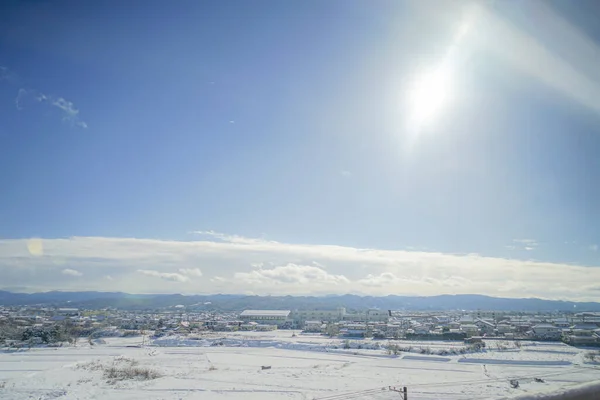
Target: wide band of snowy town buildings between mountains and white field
<point>574,328</point>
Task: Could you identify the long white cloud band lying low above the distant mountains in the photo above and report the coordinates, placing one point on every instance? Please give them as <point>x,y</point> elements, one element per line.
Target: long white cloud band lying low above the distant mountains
<point>233,264</point>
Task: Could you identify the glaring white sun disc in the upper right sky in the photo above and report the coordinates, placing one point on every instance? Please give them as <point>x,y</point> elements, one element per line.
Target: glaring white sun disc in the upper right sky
<point>428,95</point>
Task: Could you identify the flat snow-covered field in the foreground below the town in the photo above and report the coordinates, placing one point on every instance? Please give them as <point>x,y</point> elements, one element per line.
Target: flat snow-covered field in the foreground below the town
<point>302,367</point>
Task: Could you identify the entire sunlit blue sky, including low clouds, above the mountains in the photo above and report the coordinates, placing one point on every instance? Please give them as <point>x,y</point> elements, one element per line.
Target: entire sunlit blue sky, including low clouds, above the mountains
<point>294,123</point>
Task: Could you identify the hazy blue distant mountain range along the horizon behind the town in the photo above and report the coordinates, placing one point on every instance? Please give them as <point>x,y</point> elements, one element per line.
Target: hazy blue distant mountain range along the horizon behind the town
<point>226,302</point>
